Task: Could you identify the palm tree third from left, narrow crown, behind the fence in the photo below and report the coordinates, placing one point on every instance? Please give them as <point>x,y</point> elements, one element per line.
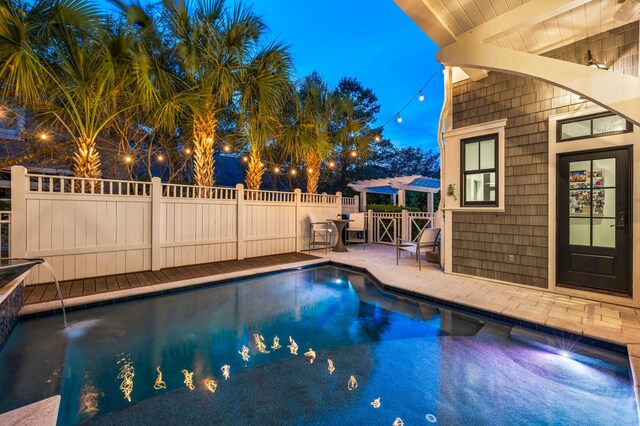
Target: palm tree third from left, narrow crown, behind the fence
<point>264,85</point>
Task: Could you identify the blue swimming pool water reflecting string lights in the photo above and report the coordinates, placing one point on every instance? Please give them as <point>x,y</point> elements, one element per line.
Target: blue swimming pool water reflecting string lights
<point>428,365</point>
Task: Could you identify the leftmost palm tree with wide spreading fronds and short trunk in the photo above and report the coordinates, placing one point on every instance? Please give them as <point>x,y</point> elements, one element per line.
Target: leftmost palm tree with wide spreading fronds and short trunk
<point>59,60</point>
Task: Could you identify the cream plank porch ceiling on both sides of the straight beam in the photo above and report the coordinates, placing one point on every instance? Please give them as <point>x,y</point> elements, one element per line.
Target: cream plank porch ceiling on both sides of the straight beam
<point>550,23</point>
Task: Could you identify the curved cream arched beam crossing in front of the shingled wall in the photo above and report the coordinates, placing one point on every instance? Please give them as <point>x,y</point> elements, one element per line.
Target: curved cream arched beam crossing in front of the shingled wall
<point>614,91</point>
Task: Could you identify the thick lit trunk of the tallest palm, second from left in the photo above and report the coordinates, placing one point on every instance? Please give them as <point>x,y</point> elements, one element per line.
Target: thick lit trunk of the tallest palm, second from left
<point>203,162</point>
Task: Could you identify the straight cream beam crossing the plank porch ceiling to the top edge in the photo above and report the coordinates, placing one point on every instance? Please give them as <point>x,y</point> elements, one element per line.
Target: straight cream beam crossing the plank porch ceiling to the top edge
<point>526,15</point>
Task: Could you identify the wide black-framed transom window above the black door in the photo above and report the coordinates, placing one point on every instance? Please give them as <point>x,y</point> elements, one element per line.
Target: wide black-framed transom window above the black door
<point>592,126</point>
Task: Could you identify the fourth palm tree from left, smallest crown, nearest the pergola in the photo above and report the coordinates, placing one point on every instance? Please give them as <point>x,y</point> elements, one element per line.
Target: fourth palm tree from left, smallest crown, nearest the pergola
<point>306,136</point>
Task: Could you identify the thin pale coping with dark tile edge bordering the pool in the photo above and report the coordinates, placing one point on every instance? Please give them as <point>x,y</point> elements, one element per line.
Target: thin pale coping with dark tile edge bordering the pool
<point>83,302</point>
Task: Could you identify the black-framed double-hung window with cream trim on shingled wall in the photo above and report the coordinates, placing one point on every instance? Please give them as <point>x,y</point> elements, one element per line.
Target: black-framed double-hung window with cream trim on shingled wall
<point>480,171</point>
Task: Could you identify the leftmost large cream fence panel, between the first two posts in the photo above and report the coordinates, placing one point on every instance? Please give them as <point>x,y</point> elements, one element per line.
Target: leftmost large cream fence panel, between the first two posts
<point>86,234</point>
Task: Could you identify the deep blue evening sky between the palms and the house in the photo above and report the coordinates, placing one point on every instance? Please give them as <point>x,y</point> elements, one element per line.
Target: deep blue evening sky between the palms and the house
<point>373,41</point>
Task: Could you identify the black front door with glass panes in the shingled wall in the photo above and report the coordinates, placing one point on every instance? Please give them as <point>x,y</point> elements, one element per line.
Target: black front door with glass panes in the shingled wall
<point>594,221</point>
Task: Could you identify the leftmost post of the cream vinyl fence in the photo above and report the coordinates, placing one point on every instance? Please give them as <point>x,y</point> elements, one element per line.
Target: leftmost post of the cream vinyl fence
<point>18,227</point>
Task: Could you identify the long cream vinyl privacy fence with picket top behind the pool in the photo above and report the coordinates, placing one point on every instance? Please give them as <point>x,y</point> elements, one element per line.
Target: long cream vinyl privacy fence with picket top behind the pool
<point>93,227</point>
